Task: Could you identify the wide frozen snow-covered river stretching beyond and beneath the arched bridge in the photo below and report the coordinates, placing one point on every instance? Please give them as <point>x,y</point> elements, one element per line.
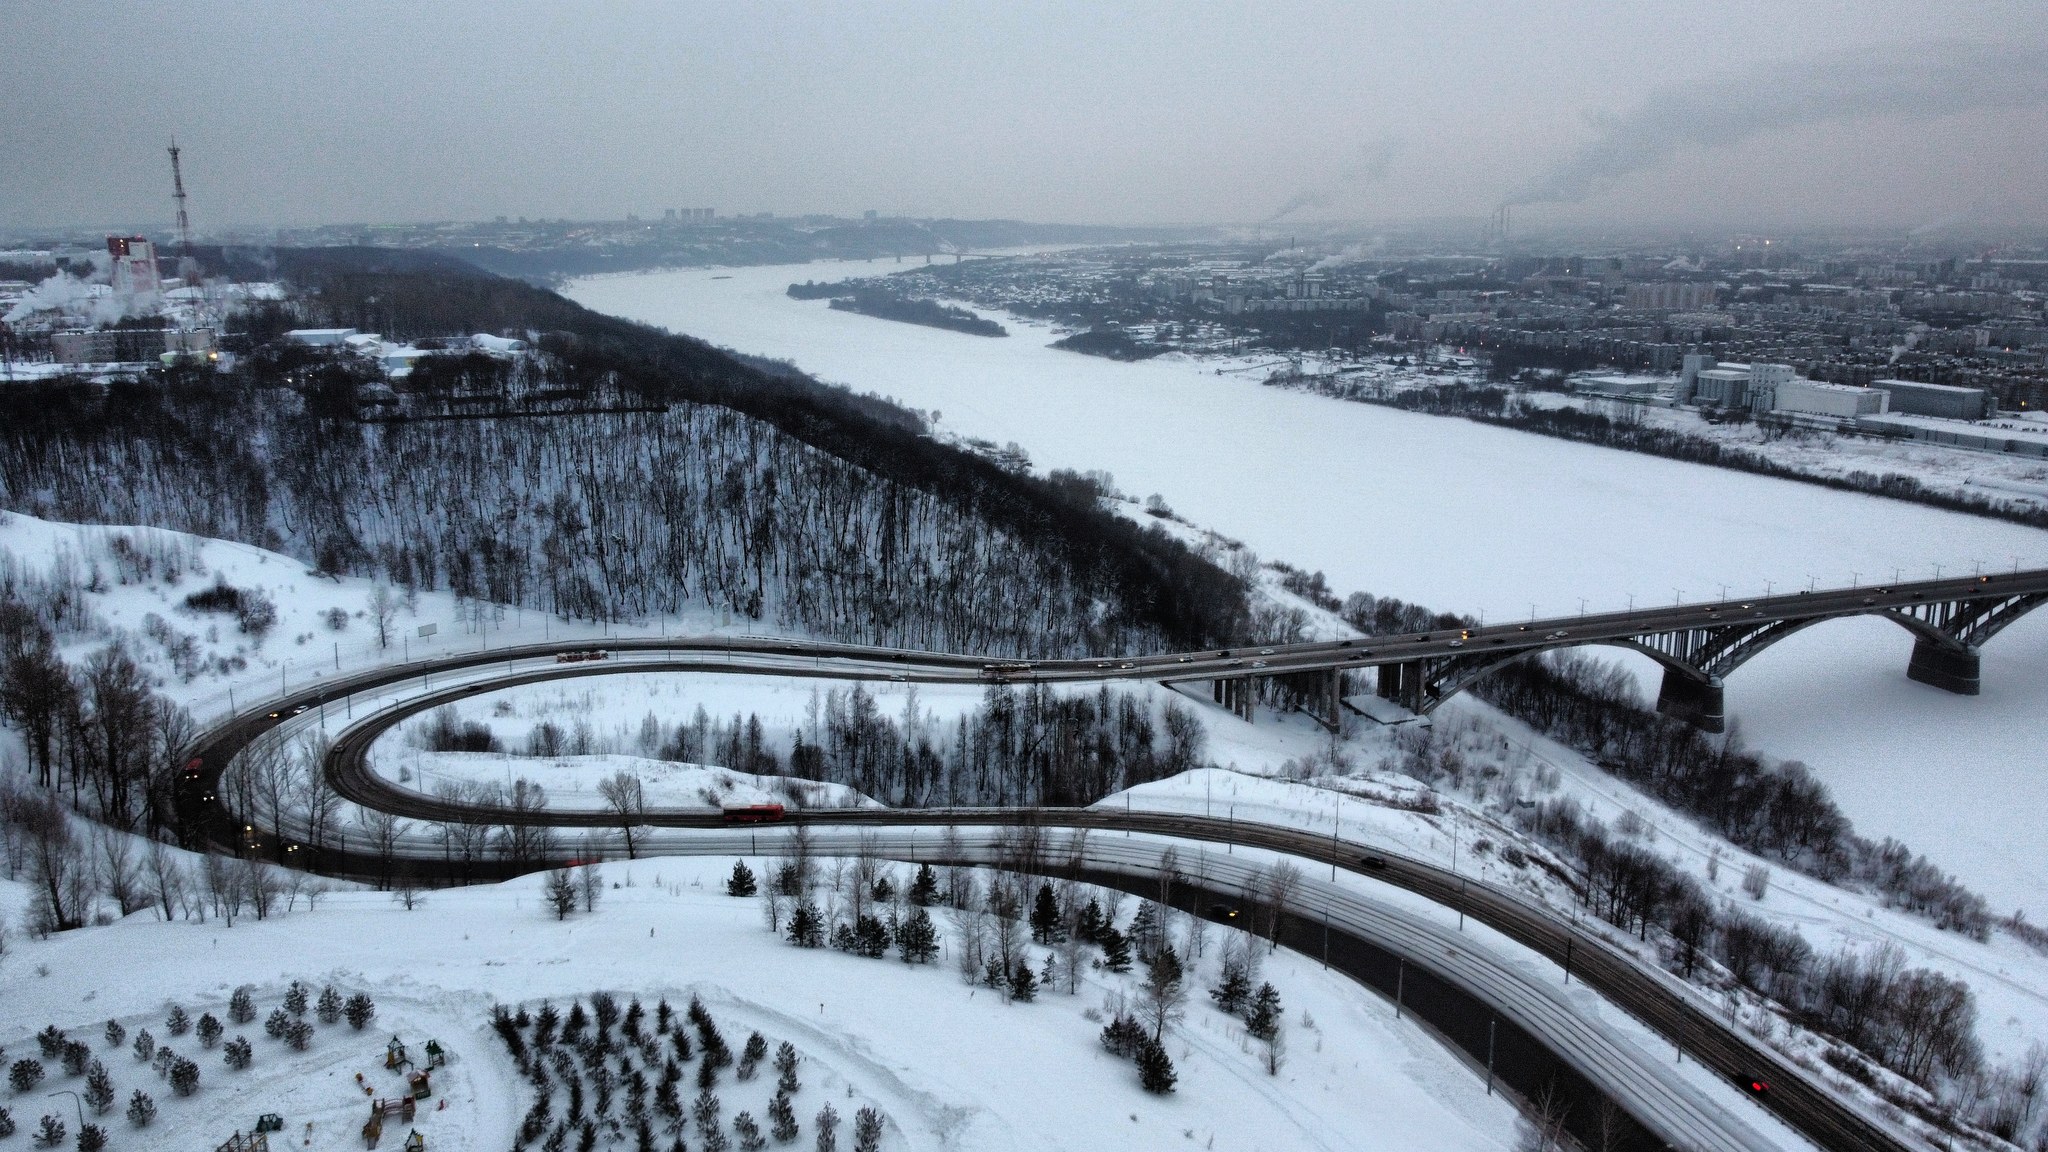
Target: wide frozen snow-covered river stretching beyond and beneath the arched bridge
<point>1476,520</point>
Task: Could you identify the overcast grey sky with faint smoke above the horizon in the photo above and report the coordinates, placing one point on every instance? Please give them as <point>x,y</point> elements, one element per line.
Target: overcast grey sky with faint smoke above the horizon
<point>1703,112</point>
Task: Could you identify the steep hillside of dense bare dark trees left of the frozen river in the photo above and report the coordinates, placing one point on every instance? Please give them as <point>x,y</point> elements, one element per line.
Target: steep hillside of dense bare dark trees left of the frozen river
<point>613,472</point>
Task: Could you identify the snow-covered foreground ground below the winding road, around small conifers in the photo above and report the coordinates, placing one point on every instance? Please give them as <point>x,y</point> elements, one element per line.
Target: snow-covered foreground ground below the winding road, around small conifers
<point>912,1042</point>
